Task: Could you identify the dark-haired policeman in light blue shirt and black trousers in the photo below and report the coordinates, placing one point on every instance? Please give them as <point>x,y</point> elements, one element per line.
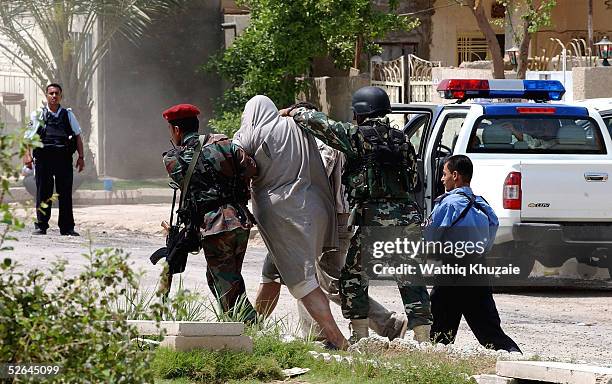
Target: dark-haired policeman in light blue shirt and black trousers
<point>477,222</point>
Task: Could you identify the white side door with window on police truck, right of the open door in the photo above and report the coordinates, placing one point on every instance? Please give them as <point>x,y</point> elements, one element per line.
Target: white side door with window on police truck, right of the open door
<point>442,144</point>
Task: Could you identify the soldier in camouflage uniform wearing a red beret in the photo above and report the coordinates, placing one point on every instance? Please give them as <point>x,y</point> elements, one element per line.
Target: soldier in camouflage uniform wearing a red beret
<point>217,197</point>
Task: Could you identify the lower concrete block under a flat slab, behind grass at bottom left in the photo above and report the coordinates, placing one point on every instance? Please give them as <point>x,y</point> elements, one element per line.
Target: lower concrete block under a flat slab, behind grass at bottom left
<point>212,343</point>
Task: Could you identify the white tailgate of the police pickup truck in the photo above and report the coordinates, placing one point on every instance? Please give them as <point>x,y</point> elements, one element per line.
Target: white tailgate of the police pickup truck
<point>576,190</point>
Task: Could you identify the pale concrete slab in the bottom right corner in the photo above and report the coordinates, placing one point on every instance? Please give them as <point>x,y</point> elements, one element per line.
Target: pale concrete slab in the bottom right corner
<point>555,372</point>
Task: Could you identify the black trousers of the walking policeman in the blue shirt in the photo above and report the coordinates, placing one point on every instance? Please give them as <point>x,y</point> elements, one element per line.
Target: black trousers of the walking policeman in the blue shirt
<point>476,304</point>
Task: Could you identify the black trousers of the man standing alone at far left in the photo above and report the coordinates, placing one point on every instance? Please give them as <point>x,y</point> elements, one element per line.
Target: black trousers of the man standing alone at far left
<point>53,165</point>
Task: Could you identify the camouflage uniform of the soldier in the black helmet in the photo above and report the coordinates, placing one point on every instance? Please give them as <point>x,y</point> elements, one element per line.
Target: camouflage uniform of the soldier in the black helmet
<point>371,209</point>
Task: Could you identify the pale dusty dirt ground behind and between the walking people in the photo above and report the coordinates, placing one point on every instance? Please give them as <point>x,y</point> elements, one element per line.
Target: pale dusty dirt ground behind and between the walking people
<point>566,325</point>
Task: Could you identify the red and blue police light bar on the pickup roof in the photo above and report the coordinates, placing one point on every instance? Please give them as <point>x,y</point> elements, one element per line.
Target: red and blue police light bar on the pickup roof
<point>463,89</point>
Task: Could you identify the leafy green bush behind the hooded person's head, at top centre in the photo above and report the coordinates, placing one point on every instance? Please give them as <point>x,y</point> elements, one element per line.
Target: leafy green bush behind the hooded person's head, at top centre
<point>284,36</point>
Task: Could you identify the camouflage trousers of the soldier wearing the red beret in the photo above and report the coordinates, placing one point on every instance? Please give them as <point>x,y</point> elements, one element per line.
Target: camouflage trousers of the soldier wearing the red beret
<point>224,254</point>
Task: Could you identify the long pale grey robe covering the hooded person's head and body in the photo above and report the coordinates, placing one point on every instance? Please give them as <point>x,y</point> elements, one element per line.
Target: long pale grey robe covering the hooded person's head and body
<point>292,198</point>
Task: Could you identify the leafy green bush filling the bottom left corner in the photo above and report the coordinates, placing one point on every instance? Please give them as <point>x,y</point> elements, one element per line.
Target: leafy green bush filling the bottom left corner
<point>49,317</point>
